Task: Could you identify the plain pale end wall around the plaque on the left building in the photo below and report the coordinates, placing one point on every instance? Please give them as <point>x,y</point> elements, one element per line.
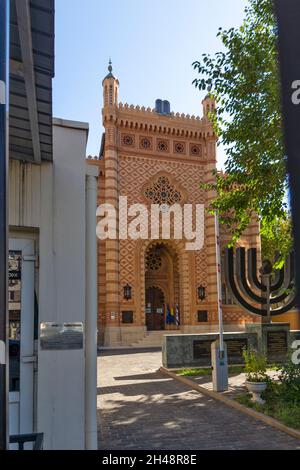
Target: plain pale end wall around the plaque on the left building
<point>62,286</point>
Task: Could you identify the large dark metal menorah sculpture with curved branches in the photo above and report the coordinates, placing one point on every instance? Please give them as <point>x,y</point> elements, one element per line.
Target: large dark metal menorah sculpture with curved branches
<point>274,288</point>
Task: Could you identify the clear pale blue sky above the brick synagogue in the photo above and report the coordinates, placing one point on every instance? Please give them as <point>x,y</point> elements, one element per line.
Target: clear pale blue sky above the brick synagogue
<point>152,45</point>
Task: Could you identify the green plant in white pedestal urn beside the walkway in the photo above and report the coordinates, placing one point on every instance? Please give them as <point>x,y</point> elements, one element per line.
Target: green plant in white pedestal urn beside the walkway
<point>256,376</point>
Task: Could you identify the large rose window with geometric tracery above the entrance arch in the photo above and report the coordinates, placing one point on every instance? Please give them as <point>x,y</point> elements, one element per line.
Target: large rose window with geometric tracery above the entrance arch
<point>163,192</point>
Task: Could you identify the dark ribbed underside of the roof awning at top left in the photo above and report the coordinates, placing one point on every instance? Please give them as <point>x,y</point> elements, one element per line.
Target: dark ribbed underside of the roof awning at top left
<point>31,73</point>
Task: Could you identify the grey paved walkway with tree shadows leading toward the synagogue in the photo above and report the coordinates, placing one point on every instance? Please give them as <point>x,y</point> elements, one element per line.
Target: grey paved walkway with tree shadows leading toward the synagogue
<point>139,408</point>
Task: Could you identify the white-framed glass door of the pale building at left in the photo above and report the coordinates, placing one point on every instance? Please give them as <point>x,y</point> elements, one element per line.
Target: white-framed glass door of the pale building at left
<point>21,336</point>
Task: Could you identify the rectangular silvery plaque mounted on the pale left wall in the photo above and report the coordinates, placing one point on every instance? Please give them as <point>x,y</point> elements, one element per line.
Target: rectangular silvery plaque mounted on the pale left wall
<point>61,336</point>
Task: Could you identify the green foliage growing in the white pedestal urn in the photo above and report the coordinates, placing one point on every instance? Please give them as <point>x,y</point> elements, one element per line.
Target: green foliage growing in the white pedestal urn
<point>255,365</point>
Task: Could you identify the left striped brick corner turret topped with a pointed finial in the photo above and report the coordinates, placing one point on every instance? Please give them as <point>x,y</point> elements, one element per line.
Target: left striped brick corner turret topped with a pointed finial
<point>112,248</point>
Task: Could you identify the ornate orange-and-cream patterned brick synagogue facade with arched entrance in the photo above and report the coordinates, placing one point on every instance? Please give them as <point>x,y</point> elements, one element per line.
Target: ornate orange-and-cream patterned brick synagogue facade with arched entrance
<point>159,157</point>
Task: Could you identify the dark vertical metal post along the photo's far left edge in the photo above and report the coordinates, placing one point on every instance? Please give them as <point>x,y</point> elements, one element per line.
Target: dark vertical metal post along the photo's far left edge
<point>4,80</point>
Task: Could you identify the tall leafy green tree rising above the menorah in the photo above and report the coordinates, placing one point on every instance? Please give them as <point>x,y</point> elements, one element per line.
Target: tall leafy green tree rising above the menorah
<point>244,79</point>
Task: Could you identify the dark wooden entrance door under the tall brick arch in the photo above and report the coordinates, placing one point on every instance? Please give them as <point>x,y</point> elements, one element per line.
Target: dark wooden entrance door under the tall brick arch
<point>155,309</point>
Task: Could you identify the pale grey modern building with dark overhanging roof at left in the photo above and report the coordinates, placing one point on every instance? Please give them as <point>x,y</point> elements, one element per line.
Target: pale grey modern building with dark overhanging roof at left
<point>52,245</point>
